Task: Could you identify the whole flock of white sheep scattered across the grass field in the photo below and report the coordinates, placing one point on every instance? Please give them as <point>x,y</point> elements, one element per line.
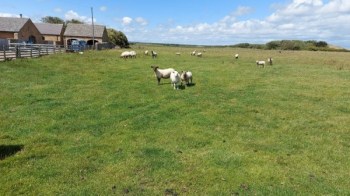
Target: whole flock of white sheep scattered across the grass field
<point>177,78</point>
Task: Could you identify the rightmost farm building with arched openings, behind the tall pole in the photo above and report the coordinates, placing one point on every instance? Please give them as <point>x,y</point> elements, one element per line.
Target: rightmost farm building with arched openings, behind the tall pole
<point>85,32</point>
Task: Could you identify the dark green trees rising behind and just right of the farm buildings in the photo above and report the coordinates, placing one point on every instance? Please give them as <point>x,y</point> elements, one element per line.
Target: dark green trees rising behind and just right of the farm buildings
<point>115,37</point>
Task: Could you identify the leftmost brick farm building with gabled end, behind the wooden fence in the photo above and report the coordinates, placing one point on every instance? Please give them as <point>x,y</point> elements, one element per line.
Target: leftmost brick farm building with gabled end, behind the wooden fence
<point>19,29</point>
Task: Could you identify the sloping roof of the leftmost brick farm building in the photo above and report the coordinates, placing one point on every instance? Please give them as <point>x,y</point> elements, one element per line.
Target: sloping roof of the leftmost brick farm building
<point>8,24</point>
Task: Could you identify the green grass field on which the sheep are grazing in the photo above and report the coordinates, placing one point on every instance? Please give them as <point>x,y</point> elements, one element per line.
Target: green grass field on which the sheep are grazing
<point>96,124</point>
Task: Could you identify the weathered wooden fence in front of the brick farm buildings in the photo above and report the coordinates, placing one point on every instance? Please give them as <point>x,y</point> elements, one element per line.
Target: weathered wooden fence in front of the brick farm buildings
<point>16,51</point>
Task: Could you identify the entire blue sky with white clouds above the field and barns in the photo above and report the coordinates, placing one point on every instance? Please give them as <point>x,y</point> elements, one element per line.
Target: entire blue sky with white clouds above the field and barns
<point>202,22</point>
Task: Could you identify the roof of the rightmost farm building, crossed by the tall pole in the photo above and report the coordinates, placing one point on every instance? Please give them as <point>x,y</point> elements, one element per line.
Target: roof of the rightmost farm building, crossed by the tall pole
<point>84,30</point>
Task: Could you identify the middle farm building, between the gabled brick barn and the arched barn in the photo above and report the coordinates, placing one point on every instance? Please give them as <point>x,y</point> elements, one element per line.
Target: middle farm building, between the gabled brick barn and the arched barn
<point>51,33</point>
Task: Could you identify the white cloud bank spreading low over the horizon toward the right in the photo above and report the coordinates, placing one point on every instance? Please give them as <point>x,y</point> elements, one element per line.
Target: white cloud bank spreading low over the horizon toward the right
<point>300,19</point>
